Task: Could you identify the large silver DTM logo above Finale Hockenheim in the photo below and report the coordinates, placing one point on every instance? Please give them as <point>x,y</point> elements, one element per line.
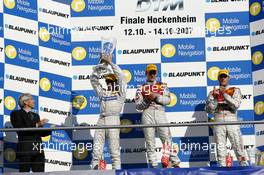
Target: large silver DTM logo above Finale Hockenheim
<point>159,5</point>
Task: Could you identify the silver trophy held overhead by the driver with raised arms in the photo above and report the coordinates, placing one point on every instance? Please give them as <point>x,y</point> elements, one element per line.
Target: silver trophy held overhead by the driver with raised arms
<point>108,46</point>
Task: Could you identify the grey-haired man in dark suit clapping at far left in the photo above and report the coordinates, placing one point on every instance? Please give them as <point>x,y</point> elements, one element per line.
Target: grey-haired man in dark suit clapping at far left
<point>29,142</point>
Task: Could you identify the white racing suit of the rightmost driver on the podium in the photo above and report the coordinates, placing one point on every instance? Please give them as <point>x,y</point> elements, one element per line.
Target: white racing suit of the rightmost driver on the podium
<point>225,112</point>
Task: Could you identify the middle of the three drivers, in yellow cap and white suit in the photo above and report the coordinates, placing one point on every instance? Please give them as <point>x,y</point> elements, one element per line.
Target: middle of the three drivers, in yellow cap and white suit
<point>151,99</point>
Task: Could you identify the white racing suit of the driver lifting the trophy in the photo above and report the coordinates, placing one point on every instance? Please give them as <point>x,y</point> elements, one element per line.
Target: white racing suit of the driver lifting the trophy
<point>111,104</point>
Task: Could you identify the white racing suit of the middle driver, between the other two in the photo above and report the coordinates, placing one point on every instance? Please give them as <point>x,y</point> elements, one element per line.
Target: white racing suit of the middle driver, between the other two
<point>154,113</point>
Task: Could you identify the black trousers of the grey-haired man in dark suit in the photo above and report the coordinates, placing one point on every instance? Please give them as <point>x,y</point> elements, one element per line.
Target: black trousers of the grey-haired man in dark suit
<point>36,162</point>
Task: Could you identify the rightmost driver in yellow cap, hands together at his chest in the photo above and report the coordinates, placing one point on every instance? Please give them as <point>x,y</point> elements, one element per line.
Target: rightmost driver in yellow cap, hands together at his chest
<point>223,103</point>
